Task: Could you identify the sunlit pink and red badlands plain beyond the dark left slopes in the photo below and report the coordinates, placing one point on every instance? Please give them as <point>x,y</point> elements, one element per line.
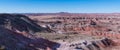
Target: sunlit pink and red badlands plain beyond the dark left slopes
<point>81,31</point>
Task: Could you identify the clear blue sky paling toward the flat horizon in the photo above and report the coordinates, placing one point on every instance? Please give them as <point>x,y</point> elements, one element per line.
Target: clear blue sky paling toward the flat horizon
<point>54,6</point>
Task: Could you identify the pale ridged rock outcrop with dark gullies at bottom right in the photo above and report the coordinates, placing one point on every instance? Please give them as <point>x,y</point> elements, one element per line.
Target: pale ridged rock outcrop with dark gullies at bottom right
<point>102,44</point>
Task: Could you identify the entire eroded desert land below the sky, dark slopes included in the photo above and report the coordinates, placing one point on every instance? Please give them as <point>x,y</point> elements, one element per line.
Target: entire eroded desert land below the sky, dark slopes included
<point>60,31</point>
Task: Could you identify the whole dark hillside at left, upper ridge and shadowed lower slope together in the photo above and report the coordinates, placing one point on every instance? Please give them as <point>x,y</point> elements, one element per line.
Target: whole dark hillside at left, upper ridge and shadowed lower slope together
<point>17,33</point>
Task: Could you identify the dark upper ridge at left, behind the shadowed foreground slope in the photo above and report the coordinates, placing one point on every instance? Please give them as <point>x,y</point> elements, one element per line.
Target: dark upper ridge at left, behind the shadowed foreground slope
<point>20,23</point>
